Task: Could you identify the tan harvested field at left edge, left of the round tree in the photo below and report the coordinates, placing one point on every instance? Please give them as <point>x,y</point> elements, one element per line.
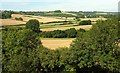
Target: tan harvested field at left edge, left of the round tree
<point>10,22</point>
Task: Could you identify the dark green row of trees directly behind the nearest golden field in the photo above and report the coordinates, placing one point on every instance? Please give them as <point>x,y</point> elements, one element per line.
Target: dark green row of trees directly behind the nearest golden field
<point>69,33</point>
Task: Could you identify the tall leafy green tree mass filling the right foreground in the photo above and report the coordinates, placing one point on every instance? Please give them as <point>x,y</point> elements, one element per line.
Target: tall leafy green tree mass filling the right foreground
<point>96,48</point>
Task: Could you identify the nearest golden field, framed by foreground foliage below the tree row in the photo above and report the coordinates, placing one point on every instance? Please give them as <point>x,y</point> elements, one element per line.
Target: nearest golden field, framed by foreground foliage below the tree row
<point>54,43</point>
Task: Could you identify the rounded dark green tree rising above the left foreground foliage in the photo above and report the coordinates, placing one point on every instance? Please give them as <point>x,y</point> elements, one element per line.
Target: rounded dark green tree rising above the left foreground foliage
<point>33,24</point>
